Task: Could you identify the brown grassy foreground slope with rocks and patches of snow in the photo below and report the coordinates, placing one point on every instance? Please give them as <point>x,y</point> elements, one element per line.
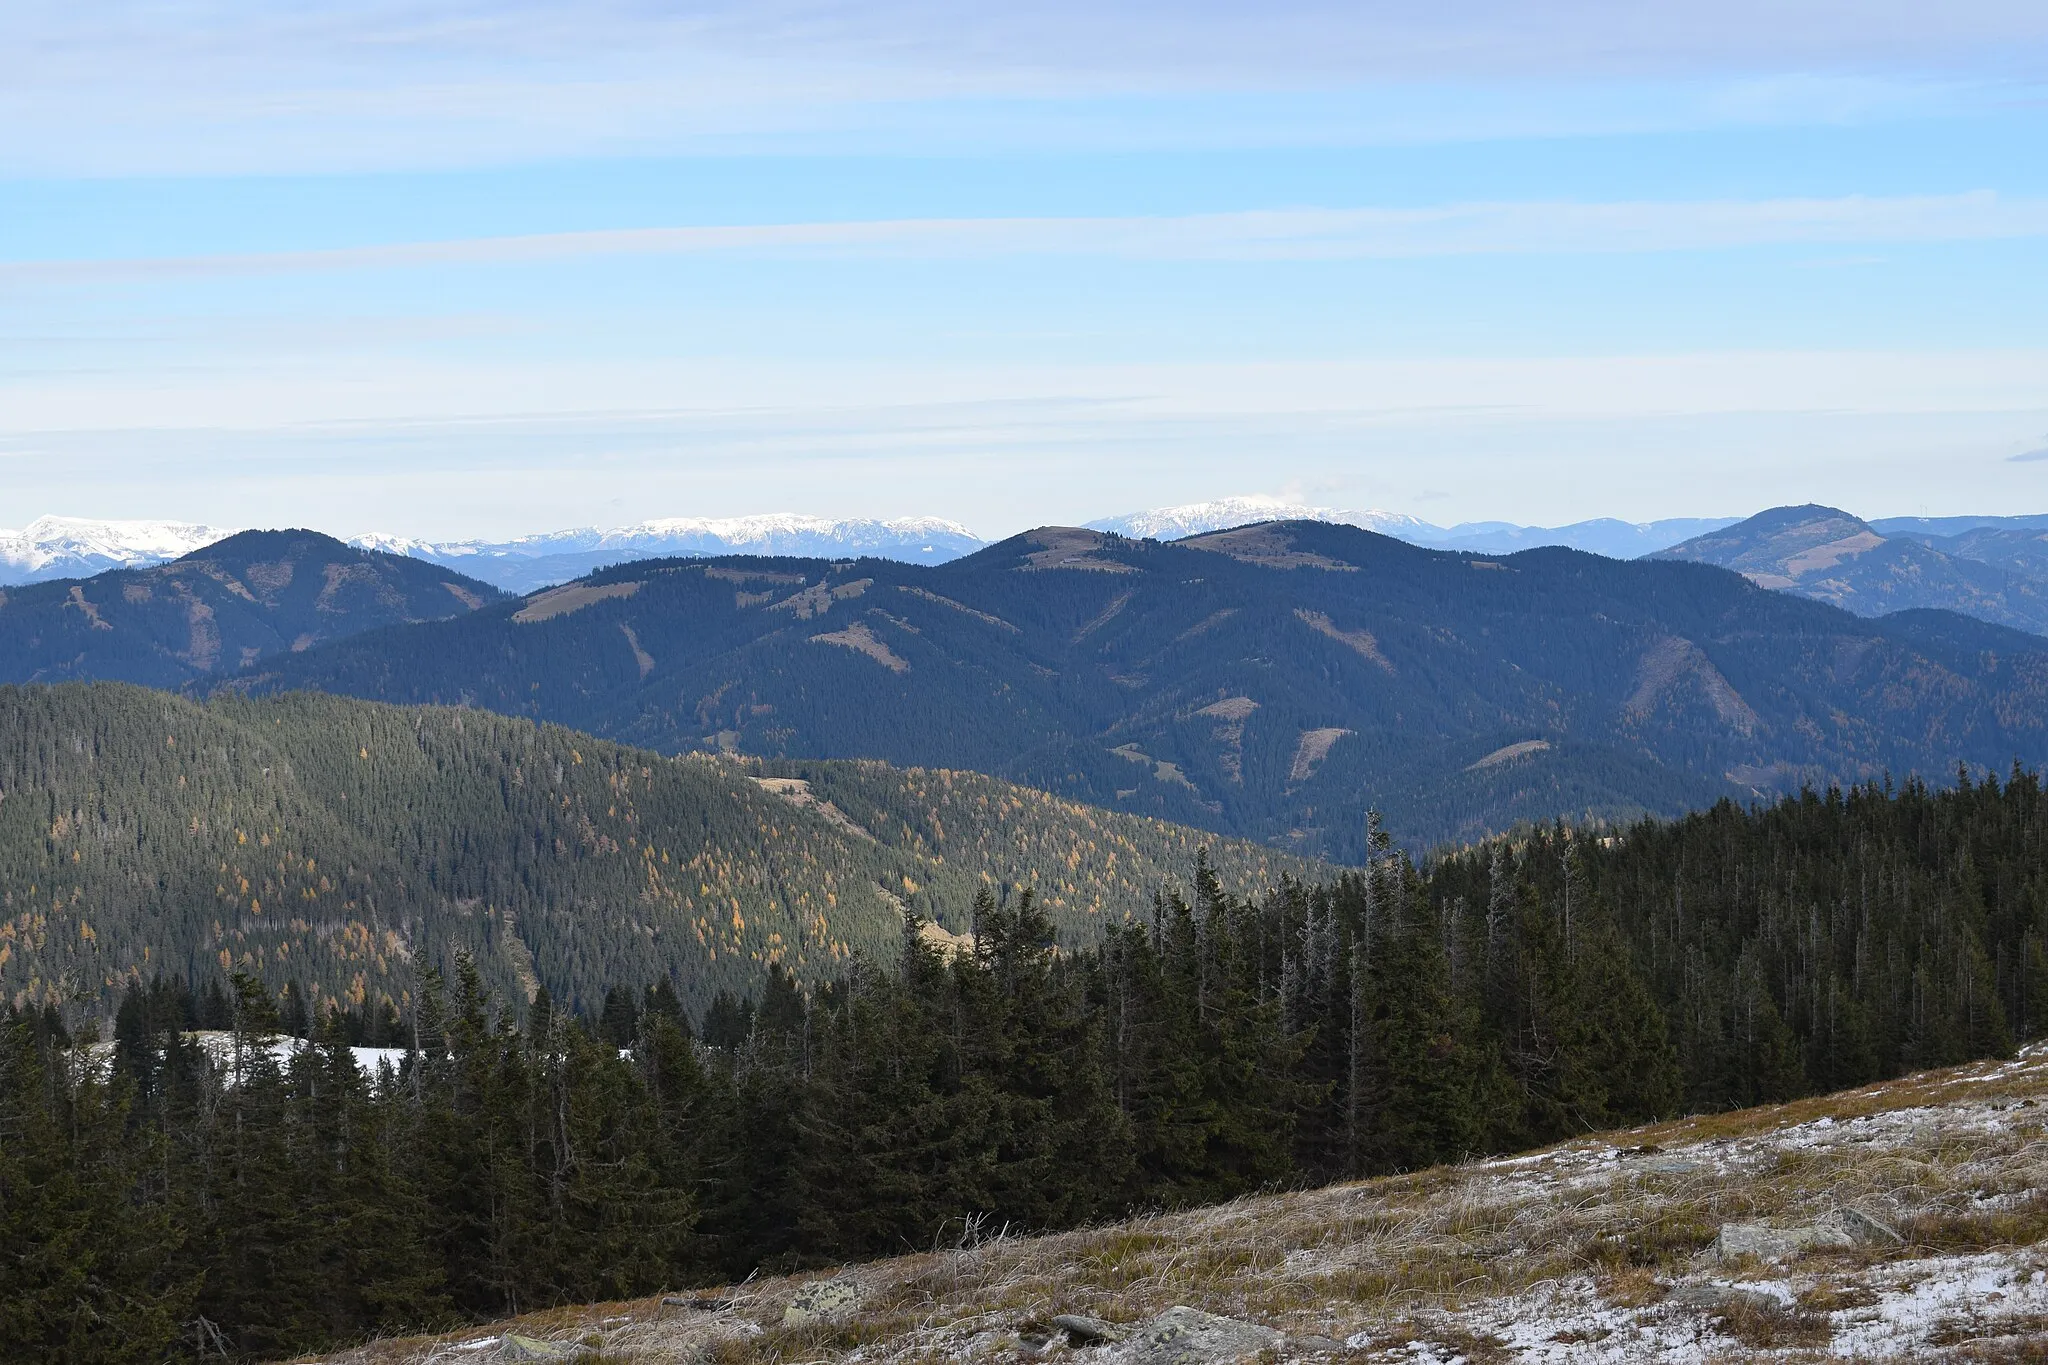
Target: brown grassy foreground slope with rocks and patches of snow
<point>1592,1251</point>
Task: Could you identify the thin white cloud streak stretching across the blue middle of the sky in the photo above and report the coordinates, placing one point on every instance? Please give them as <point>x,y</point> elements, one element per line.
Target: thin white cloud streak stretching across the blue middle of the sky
<point>1269,234</point>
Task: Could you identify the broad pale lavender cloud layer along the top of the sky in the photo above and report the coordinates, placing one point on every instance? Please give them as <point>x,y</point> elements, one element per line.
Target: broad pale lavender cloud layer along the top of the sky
<point>245,85</point>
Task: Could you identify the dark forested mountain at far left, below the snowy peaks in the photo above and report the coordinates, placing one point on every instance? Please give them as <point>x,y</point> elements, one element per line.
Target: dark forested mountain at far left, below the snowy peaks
<point>220,609</point>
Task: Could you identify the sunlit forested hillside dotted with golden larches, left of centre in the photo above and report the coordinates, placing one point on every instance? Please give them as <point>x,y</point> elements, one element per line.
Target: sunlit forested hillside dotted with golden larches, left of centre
<point>351,846</point>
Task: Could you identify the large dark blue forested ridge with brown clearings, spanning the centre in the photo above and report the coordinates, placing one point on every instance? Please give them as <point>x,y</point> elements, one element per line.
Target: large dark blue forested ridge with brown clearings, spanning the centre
<point>1269,682</point>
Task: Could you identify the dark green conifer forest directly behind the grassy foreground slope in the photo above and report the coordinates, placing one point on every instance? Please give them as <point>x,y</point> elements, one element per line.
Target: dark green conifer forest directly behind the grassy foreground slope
<point>218,1174</point>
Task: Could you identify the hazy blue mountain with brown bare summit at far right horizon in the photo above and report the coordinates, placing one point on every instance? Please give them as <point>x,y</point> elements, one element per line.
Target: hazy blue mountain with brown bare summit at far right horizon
<point>1988,570</point>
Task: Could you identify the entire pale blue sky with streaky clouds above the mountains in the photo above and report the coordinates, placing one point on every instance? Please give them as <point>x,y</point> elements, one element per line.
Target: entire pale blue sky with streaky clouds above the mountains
<point>484,269</point>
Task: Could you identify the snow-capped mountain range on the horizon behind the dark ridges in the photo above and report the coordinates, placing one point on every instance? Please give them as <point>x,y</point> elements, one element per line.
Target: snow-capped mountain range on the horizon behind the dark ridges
<point>58,547</point>
